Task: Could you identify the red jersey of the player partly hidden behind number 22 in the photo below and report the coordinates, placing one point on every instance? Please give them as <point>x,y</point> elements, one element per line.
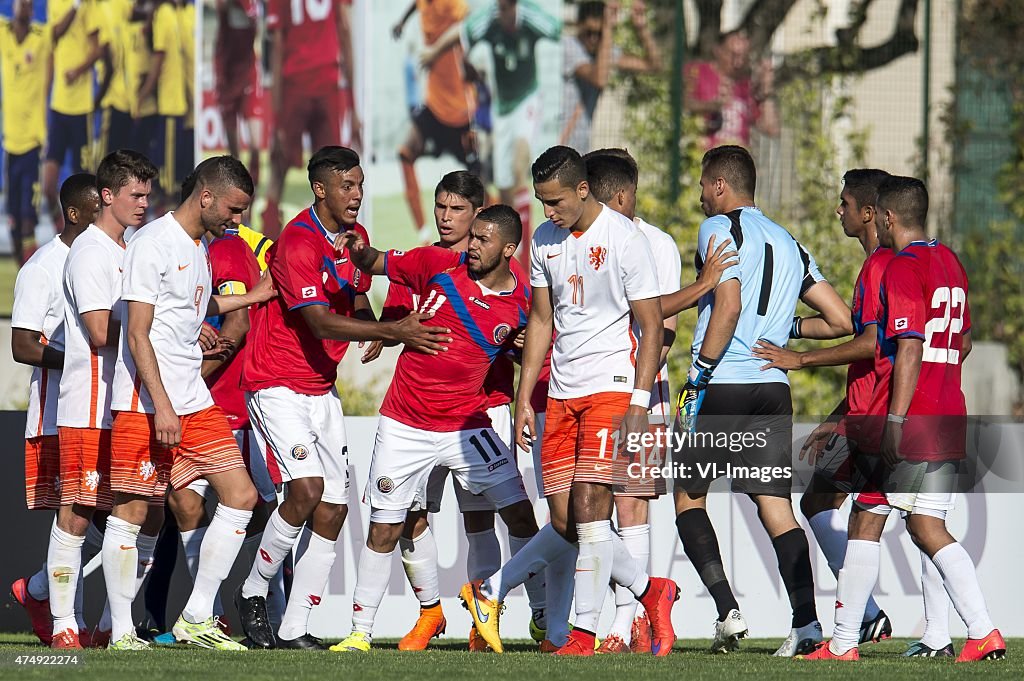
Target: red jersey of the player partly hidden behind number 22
<point>861,377</point>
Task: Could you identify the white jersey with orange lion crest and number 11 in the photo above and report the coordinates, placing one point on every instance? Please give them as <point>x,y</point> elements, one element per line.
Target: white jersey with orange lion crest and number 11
<point>592,279</point>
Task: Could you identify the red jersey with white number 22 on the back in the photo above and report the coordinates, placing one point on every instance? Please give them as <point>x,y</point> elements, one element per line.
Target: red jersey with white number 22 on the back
<point>924,295</point>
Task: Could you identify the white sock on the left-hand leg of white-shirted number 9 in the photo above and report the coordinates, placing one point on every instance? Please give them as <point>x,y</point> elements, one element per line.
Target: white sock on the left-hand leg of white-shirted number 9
<point>120,569</point>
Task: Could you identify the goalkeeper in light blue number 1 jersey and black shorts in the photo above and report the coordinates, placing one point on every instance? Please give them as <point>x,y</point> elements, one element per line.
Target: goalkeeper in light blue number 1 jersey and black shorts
<point>755,301</point>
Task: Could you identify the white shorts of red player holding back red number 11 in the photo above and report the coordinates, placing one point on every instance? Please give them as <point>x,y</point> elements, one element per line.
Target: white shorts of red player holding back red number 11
<point>307,435</point>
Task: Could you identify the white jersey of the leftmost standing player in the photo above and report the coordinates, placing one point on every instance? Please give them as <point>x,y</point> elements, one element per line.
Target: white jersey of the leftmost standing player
<point>39,309</point>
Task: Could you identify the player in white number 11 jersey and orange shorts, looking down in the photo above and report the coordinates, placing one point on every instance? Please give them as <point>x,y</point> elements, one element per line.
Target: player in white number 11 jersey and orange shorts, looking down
<point>592,272</point>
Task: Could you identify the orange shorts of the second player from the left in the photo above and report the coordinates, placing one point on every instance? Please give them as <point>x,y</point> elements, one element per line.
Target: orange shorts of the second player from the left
<point>86,467</point>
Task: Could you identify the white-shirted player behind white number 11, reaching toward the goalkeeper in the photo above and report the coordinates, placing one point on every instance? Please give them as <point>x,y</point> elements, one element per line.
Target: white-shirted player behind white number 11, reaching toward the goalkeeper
<point>613,177</point>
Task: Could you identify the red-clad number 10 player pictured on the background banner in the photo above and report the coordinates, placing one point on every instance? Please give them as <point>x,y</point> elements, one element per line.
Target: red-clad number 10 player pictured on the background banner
<point>312,53</point>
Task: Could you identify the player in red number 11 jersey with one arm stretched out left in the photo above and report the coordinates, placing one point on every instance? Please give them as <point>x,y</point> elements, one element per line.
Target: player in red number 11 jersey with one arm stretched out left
<point>436,411</point>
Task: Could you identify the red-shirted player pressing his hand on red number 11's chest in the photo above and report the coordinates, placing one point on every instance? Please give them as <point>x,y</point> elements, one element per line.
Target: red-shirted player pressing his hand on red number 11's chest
<point>296,343</point>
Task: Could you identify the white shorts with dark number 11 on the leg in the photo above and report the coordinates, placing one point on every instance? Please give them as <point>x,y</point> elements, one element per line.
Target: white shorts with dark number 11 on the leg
<point>404,458</point>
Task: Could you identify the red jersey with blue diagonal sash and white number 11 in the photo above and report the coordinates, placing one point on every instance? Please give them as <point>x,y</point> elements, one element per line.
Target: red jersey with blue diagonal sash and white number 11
<point>445,393</point>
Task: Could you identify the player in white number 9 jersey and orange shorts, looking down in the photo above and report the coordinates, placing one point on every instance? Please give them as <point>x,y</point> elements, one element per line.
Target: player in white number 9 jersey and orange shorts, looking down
<point>166,427</point>
